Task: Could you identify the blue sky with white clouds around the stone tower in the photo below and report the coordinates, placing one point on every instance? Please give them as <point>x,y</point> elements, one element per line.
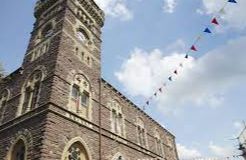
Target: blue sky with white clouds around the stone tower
<point>143,43</point>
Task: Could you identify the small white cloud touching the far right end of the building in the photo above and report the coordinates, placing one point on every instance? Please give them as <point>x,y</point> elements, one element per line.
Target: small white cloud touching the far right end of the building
<point>187,153</point>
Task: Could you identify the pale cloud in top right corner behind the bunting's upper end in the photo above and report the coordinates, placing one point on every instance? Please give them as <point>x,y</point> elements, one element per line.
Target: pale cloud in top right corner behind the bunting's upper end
<point>234,15</point>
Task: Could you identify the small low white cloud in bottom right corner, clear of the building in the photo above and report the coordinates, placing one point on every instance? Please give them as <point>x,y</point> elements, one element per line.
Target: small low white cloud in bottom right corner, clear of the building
<point>220,151</point>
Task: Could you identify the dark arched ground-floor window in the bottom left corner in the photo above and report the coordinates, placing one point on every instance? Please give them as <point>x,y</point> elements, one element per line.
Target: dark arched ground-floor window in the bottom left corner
<point>19,151</point>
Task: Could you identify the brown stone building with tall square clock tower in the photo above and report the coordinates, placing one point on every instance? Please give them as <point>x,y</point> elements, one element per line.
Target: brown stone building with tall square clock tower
<point>56,106</point>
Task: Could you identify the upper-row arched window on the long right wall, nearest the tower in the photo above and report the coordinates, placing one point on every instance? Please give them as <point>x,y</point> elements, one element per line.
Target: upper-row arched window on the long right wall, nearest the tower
<point>117,119</point>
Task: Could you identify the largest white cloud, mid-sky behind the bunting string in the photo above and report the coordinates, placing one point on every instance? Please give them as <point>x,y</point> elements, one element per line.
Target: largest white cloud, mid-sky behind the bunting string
<point>201,82</point>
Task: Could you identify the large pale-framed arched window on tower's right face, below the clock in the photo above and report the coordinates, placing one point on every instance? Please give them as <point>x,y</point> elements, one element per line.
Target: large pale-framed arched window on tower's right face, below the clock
<point>80,96</point>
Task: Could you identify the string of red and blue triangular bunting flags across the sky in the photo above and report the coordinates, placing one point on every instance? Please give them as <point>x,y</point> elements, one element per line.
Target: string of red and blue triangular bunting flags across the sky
<point>208,30</point>
